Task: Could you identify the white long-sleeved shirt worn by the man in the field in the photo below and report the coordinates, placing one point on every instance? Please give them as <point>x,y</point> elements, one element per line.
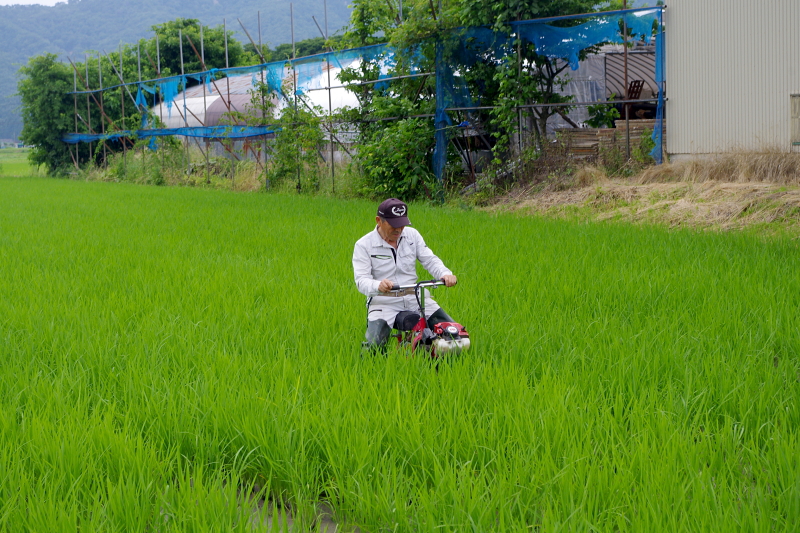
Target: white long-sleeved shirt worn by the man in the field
<point>375,260</point>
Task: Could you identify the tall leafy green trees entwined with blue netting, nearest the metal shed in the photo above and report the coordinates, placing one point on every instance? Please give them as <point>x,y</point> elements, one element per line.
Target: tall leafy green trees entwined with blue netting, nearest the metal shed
<point>518,76</point>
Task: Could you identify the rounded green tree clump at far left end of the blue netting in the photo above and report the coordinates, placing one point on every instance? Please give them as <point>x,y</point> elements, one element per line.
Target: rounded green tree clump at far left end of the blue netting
<point>49,111</point>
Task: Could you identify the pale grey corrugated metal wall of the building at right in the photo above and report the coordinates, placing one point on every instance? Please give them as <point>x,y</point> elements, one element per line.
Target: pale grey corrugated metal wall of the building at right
<point>732,66</point>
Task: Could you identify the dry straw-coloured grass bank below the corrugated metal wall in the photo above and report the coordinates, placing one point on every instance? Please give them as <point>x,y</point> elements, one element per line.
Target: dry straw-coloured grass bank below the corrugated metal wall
<point>730,191</point>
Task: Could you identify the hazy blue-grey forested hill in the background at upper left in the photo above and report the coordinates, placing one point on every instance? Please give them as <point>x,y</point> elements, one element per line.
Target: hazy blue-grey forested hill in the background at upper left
<point>72,29</point>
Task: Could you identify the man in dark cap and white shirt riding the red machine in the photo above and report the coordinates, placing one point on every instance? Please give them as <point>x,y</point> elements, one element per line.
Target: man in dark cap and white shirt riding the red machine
<point>386,257</point>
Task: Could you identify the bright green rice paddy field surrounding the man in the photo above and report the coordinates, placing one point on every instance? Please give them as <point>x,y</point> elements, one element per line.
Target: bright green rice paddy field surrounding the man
<point>176,359</point>
